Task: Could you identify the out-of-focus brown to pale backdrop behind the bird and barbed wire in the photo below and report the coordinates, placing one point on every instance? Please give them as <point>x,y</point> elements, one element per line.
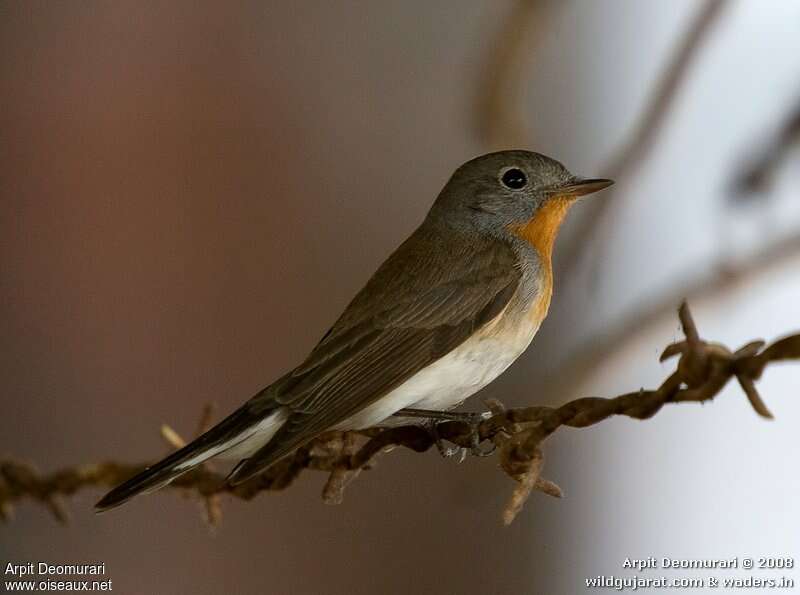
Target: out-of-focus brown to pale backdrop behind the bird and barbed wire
<point>192,192</point>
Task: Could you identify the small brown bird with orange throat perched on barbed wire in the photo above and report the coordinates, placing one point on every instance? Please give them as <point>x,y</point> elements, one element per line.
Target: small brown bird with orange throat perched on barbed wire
<point>446,314</point>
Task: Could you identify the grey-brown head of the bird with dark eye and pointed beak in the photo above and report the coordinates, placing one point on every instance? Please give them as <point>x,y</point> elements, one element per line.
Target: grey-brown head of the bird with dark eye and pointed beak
<point>504,189</point>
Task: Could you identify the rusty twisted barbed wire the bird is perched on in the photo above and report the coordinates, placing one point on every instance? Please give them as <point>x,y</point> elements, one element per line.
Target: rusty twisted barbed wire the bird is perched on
<point>702,371</point>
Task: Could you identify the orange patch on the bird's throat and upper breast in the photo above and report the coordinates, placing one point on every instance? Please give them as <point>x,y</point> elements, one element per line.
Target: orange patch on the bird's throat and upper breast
<point>540,232</point>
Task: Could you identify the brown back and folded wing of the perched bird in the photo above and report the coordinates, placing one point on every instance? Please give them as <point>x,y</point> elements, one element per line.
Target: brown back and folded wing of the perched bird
<point>415,309</point>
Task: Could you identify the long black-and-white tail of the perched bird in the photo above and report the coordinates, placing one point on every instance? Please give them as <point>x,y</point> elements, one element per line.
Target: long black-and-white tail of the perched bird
<point>231,432</point>
